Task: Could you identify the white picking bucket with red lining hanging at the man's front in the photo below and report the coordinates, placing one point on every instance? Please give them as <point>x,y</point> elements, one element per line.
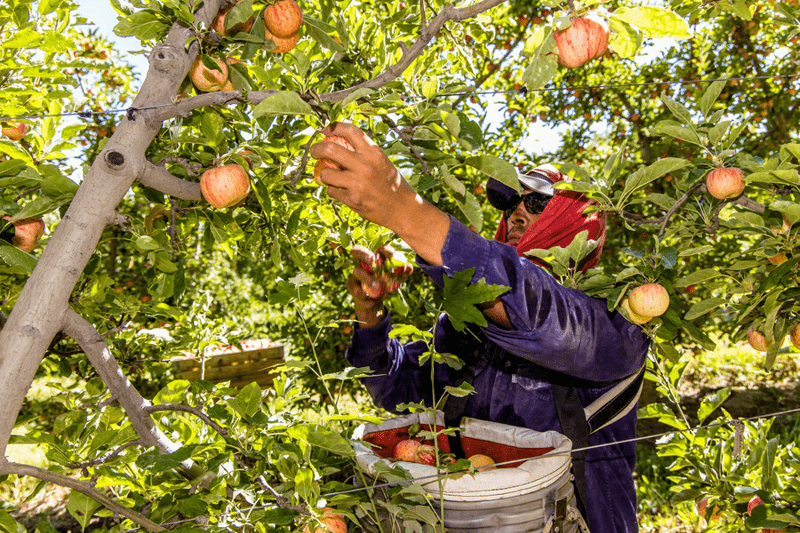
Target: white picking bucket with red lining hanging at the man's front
<point>530,492</point>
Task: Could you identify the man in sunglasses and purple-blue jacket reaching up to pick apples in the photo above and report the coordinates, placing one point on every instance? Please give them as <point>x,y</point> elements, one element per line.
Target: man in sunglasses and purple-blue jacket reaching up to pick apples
<point>541,339</point>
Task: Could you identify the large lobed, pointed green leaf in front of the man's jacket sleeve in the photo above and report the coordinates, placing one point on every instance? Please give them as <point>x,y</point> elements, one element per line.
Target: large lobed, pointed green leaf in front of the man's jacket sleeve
<point>460,298</point>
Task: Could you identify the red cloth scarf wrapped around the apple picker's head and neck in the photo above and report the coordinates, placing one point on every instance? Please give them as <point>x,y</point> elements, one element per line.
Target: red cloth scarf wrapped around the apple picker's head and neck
<point>559,223</point>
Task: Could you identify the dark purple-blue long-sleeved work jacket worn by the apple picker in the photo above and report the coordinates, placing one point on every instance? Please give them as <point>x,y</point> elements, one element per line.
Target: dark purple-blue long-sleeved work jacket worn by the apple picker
<point>557,332</point>
